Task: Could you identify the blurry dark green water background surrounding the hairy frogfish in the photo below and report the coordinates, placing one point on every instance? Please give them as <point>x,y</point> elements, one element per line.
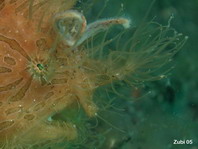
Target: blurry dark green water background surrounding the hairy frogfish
<point>155,114</point>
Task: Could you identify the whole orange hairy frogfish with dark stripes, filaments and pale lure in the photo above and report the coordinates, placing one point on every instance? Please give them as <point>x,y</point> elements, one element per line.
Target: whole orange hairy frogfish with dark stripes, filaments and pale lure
<point>45,67</point>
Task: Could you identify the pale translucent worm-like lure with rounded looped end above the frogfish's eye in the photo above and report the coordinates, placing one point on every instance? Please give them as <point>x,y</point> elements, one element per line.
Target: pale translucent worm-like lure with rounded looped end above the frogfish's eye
<point>79,31</point>
